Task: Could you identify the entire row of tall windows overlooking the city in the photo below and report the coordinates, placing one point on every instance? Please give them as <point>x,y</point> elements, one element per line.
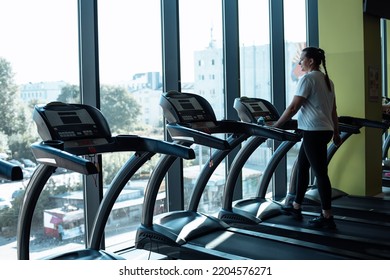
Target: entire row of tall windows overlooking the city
<point>39,63</point>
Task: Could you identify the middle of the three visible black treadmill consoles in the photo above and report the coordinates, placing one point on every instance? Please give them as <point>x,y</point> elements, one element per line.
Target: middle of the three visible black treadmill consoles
<point>186,108</point>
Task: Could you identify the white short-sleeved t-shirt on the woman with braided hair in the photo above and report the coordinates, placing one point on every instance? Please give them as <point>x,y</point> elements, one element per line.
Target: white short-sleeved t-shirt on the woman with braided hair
<point>316,111</point>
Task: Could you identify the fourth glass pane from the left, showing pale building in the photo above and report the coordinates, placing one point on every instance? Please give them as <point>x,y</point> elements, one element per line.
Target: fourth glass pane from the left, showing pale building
<point>255,77</point>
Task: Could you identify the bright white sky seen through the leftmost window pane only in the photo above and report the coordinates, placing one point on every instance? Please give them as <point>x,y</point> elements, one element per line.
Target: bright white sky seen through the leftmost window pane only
<point>39,44</point>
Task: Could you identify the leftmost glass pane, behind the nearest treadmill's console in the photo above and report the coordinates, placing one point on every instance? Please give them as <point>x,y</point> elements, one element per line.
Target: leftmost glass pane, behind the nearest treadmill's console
<point>39,64</point>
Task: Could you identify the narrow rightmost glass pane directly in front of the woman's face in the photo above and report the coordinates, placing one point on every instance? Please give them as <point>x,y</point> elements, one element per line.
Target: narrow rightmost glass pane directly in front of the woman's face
<point>295,41</point>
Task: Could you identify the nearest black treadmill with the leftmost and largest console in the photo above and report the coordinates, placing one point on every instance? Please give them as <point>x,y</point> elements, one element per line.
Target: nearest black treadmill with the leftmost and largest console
<point>71,133</point>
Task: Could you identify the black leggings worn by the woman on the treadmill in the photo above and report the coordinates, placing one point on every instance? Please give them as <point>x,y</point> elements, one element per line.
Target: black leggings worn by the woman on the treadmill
<point>313,153</point>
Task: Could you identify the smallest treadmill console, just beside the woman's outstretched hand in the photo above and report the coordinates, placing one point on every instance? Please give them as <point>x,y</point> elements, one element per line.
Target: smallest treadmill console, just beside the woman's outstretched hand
<point>256,110</point>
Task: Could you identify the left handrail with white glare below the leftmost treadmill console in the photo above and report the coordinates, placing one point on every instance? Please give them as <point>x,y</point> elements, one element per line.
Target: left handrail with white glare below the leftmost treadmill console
<point>48,155</point>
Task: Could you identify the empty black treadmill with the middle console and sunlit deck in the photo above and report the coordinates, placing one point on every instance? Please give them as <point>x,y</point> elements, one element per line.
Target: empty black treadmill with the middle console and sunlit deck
<point>189,234</point>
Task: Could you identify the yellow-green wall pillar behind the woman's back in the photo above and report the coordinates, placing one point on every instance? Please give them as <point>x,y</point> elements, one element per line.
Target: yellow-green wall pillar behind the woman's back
<point>349,40</point>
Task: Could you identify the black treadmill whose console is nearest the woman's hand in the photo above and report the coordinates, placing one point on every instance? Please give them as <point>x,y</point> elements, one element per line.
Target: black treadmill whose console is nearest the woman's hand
<point>264,215</point>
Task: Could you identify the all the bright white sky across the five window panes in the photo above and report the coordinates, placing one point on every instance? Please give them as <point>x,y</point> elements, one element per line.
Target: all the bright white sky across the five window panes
<point>40,37</point>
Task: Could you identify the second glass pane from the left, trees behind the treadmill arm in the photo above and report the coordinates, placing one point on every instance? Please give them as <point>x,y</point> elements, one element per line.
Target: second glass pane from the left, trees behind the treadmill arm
<point>130,83</point>
